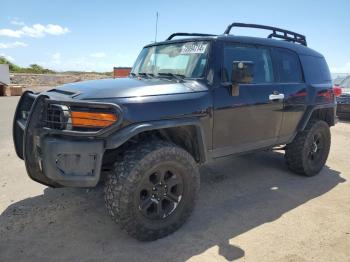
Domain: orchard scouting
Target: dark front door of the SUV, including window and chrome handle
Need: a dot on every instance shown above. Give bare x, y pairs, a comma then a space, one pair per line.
251, 117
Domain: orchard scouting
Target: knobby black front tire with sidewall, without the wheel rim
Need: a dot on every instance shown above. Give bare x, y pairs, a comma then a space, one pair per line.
121, 190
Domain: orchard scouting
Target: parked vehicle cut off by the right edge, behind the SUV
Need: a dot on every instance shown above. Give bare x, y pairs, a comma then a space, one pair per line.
343, 100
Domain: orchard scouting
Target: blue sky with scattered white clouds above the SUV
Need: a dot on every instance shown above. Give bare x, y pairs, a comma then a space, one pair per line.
98, 35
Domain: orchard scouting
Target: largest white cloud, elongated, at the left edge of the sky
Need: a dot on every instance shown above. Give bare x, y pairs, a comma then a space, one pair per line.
36, 30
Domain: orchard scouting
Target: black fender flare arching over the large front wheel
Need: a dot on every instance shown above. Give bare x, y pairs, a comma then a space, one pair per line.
123, 135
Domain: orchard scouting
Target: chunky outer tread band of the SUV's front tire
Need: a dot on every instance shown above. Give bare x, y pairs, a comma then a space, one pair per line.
122, 181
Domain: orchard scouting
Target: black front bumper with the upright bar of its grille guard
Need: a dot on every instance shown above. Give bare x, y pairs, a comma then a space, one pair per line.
53, 159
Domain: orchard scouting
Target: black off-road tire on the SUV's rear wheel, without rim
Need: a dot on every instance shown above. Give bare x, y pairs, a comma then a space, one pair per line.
297, 153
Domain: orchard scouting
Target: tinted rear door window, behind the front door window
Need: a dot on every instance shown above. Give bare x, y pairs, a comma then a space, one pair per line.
289, 67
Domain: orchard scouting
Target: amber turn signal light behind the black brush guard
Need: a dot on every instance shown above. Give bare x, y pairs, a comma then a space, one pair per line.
92, 119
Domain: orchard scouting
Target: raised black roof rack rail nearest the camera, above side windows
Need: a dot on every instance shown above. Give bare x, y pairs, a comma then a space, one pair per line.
276, 32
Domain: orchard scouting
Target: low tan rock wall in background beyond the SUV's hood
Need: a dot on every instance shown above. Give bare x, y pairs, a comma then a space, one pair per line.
37, 80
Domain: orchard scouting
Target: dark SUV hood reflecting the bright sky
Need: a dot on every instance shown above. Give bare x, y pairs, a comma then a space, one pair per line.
128, 87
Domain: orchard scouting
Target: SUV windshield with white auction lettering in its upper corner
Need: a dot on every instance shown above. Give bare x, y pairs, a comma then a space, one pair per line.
187, 60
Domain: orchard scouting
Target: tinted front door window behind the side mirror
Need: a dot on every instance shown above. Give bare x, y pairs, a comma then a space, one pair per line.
260, 57
